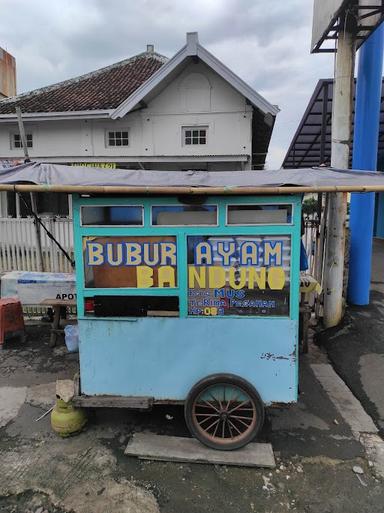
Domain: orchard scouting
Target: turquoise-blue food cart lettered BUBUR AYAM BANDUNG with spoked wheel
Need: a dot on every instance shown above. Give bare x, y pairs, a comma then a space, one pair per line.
190, 300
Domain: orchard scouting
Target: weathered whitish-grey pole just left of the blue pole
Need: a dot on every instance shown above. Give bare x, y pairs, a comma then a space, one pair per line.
341, 134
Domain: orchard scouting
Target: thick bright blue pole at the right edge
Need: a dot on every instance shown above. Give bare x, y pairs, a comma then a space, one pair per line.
365, 148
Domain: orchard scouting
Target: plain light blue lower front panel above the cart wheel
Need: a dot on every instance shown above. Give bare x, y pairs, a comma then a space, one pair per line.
164, 358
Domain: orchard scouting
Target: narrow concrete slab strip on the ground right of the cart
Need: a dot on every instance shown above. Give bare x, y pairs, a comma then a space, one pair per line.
345, 402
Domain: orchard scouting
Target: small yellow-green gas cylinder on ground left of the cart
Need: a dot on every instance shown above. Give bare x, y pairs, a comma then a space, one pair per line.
66, 420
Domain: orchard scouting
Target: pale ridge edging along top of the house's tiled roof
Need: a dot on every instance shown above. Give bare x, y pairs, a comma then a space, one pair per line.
79, 78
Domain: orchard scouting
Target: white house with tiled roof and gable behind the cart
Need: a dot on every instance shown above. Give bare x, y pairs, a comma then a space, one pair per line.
150, 112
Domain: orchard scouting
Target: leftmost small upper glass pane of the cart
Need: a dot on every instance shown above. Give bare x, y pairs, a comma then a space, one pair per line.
112, 215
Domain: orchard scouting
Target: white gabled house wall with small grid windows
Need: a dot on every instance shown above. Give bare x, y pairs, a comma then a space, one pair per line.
197, 97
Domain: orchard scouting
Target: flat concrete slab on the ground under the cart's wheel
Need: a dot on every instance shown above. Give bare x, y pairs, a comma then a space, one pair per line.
188, 450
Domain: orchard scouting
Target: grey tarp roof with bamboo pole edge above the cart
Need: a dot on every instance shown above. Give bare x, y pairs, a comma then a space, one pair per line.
45, 177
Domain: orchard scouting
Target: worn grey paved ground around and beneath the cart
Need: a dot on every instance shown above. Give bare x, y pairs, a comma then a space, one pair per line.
315, 448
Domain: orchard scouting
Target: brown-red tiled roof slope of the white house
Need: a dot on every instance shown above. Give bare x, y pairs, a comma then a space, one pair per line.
105, 88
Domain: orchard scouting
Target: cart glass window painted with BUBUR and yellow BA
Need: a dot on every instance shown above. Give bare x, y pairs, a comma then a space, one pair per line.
130, 261
